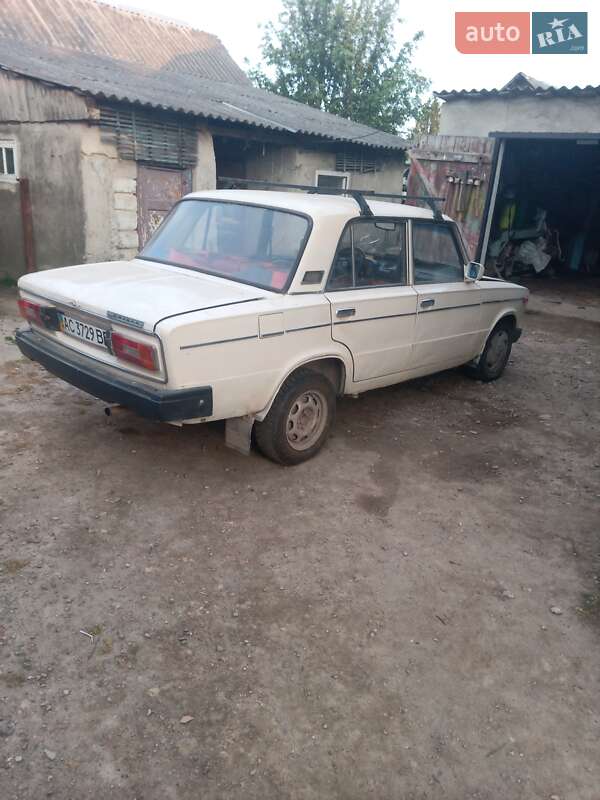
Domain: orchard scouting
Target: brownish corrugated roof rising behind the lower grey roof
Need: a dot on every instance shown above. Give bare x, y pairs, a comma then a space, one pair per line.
90, 27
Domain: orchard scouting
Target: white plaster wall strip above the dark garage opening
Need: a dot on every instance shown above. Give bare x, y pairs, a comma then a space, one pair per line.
479, 117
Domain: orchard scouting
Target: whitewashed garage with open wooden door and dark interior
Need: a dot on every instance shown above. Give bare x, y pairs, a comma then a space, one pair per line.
519, 165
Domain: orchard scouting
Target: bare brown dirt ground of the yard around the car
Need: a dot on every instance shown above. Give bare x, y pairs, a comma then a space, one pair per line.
375, 623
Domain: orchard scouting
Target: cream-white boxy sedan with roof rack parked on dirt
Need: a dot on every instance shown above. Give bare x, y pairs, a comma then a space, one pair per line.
262, 307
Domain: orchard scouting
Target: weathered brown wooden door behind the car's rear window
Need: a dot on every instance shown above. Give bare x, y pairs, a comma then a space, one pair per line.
158, 190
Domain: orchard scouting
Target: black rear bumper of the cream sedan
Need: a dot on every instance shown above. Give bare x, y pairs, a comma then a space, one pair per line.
151, 402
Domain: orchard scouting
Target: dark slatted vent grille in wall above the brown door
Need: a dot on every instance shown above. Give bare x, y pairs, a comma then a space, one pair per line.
155, 139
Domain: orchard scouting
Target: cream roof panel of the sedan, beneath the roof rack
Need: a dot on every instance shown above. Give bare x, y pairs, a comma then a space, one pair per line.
314, 205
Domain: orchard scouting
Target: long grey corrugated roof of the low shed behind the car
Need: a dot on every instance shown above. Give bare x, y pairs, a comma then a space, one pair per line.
110, 79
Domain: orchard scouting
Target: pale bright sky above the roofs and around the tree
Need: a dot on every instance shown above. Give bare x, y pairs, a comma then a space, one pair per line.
237, 24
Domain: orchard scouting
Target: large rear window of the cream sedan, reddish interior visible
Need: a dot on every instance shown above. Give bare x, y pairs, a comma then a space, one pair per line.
241, 242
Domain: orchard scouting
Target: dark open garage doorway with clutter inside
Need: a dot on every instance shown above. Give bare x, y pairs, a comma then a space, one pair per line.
546, 217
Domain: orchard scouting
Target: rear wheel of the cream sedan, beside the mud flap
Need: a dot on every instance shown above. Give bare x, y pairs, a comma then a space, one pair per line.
299, 420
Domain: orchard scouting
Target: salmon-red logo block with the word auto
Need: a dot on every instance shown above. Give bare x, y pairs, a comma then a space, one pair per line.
490, 32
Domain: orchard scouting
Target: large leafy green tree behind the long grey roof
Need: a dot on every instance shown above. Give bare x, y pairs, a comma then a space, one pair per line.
341, 56
